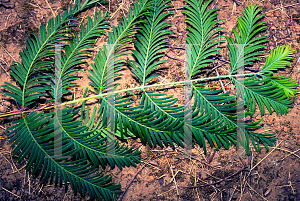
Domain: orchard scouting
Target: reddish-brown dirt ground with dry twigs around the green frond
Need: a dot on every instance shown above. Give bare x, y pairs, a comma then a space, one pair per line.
276, 175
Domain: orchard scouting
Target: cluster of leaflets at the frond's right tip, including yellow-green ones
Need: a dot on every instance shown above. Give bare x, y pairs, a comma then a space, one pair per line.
258, 89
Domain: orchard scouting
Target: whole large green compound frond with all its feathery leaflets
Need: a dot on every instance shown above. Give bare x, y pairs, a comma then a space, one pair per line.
70, 145
